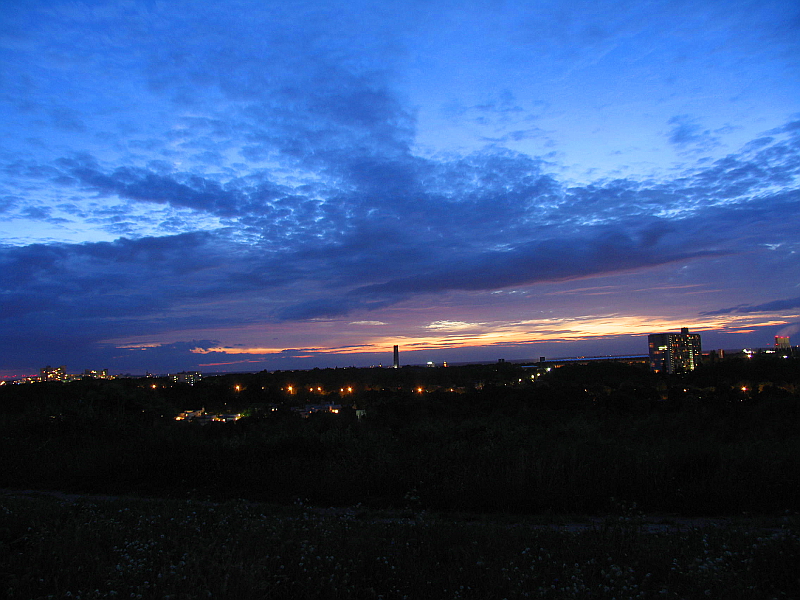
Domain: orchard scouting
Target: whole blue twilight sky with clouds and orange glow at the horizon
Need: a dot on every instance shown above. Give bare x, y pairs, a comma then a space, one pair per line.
238, 186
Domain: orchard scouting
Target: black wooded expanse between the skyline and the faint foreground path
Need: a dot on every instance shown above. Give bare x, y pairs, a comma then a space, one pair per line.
724, 439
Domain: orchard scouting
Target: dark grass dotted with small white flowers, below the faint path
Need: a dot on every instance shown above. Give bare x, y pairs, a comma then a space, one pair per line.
169, 549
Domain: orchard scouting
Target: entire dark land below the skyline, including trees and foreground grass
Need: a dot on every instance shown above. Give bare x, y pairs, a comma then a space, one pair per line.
384, 496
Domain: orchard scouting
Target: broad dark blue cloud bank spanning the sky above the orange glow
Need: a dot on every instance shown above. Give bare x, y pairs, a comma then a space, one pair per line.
389, 229
